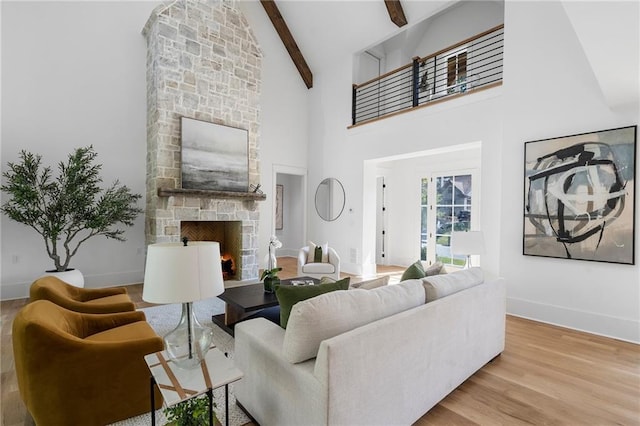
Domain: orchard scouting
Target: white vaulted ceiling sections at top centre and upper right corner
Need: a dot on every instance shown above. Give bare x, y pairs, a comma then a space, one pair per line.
324, 30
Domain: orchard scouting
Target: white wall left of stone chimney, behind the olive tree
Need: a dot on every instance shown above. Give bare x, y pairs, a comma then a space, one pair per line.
73, 74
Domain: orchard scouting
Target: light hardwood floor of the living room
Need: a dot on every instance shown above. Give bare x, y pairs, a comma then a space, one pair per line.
547, 375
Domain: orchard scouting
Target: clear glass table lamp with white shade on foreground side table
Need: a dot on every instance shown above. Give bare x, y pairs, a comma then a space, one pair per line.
183, 273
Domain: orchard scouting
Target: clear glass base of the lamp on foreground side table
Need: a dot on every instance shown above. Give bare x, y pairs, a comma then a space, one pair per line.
189, 342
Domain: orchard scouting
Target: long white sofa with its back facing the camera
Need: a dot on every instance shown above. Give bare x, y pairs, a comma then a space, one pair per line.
368, 371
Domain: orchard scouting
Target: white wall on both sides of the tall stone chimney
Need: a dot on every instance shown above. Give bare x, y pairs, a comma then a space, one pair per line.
73, 74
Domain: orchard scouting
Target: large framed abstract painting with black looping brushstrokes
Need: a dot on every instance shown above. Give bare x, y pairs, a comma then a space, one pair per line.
579, 196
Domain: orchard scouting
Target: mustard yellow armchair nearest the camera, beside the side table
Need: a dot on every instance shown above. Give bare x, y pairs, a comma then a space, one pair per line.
82, 369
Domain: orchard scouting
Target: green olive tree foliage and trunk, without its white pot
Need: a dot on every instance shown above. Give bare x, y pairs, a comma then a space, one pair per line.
69, 209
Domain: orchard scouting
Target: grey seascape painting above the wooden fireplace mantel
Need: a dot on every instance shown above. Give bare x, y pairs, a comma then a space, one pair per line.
214, 157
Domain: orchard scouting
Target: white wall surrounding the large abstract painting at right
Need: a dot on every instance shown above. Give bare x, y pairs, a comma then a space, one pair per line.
597, 297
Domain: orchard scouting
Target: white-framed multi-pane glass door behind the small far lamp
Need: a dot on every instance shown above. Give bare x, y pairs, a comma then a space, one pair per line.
446, 206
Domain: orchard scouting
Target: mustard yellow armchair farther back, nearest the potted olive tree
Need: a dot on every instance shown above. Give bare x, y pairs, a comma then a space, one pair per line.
90, 301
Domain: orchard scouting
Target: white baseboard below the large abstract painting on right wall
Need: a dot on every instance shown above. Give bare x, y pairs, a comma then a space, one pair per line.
624, 329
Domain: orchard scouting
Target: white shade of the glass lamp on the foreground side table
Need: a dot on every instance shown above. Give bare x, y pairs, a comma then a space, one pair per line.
175, 273
